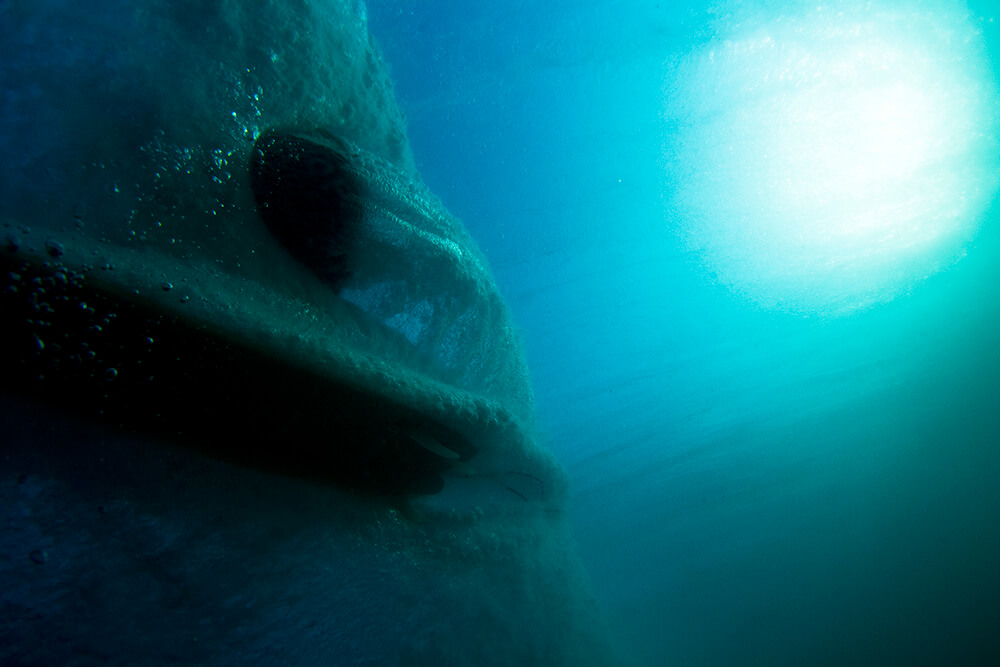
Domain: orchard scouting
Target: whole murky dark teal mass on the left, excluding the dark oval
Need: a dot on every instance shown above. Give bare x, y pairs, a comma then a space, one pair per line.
272, 466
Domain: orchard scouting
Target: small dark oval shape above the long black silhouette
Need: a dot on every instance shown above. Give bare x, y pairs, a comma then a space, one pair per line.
309, 198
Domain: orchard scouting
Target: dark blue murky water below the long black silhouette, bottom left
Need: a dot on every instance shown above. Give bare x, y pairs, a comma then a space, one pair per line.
119, 550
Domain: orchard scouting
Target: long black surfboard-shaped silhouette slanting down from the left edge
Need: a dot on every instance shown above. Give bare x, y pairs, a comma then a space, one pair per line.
70, 342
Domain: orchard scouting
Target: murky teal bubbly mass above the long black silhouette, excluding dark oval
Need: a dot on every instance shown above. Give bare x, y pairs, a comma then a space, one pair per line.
130, 133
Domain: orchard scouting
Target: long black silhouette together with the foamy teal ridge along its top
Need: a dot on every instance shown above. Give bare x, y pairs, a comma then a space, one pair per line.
205, 366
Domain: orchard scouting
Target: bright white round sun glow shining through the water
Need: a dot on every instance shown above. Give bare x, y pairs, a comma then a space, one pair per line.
827, 162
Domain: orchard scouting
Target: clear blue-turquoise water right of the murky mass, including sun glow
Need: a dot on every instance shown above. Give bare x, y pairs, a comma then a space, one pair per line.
751, 248
